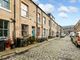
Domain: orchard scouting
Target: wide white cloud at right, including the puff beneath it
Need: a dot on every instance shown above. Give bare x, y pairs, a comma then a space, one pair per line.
65, 10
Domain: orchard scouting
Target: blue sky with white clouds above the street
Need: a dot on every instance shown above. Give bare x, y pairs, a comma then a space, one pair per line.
66, 12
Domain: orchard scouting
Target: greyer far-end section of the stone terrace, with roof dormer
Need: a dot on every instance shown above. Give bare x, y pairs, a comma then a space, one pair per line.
54, 28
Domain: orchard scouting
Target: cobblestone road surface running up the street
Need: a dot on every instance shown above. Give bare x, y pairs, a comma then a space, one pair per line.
59, 49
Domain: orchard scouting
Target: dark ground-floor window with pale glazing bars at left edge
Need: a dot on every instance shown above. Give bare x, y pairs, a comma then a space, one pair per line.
4, 28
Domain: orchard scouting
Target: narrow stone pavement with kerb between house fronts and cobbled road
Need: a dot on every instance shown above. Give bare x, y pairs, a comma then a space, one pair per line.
11, 52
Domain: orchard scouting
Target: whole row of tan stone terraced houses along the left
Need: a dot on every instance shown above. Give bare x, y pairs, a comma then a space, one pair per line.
19, 18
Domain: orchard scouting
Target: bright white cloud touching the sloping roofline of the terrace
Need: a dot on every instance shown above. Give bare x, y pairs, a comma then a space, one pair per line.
48, 8
